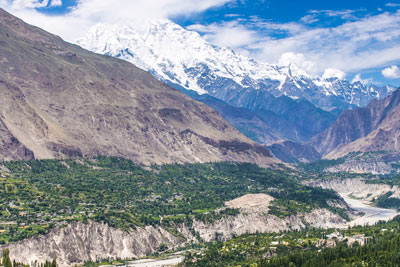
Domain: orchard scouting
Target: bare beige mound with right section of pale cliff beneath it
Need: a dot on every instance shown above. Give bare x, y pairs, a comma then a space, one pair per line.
254, 218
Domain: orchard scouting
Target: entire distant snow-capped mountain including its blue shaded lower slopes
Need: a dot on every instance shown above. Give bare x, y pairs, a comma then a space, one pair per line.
281, 102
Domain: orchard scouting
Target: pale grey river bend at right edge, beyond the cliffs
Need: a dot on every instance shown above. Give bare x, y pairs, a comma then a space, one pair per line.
371, 214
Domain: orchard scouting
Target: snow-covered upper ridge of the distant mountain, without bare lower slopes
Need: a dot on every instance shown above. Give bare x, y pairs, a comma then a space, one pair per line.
183, 58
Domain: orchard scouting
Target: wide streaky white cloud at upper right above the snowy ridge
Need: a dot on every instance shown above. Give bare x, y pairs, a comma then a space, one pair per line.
356, 44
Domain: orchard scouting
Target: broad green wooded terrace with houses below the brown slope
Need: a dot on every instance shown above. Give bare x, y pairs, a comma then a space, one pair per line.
38, 195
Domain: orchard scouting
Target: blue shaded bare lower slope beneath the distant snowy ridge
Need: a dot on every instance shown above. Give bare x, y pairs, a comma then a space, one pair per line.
271, 118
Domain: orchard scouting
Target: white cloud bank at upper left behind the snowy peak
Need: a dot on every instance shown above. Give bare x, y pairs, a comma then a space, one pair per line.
90, 12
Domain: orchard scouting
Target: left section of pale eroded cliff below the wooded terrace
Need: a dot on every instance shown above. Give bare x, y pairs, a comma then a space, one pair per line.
80, 242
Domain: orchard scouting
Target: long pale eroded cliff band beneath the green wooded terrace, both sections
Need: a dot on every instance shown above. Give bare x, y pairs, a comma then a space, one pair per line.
80, 242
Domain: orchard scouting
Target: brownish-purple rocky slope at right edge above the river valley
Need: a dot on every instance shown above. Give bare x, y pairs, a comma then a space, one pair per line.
372, 128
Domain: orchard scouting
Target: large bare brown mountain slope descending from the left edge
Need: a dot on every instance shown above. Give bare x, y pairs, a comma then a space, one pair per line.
59, 100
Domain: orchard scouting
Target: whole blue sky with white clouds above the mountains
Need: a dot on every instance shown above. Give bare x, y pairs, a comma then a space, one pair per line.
358, 40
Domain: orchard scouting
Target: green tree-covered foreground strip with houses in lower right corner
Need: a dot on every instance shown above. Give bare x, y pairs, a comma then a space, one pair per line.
305, 248
